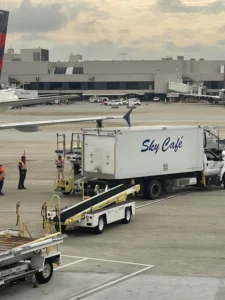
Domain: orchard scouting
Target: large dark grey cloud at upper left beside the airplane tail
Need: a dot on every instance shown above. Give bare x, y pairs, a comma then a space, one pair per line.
37, 18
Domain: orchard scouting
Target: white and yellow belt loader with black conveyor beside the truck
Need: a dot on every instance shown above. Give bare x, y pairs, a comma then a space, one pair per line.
97, 211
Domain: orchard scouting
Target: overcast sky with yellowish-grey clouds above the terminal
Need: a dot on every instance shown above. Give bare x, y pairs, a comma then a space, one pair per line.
102, 29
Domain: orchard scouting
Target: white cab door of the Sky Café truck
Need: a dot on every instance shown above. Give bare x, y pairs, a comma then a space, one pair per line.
212, 164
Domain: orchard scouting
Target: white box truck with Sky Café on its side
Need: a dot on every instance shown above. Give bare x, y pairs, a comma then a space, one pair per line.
157, 157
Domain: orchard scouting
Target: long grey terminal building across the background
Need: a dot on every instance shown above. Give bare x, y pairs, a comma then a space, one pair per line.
144, 79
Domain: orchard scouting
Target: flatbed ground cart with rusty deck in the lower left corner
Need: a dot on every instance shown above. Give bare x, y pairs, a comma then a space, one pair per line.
27, 257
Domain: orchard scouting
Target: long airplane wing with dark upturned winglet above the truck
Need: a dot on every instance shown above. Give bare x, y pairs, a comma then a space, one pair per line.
34, 126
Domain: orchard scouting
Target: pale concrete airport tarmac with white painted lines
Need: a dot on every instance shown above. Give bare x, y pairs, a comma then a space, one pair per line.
172, 249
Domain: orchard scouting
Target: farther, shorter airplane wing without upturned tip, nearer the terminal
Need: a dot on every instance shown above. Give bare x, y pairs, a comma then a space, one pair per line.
40, 100
